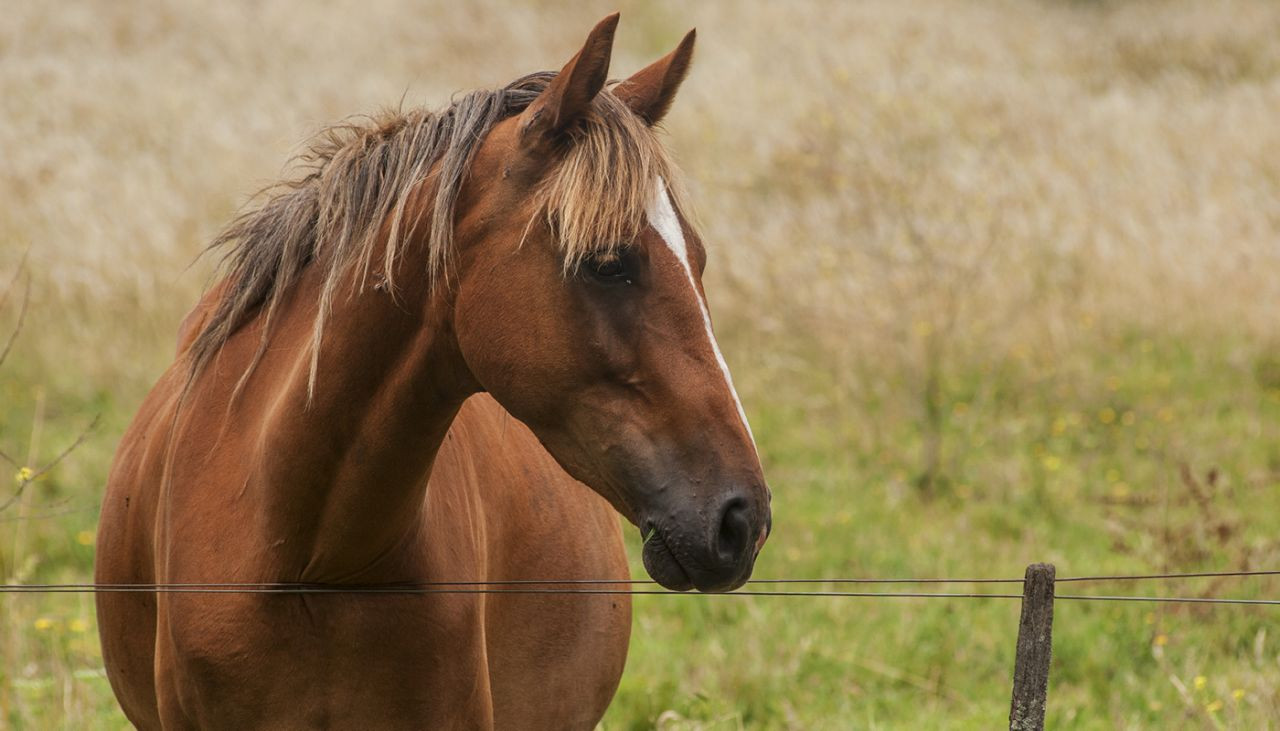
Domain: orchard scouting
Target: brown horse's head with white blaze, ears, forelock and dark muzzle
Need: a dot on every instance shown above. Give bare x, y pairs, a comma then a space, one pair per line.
579, 307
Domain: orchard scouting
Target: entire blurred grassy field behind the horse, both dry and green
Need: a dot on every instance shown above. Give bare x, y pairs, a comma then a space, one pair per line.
999, 281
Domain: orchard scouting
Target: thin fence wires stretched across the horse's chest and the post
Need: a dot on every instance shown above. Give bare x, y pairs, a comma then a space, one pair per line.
646, 588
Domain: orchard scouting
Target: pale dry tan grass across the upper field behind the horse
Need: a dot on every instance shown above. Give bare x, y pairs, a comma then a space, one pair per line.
1003, 171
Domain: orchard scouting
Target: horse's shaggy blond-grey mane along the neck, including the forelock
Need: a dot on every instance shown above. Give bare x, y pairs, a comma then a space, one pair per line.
355, 177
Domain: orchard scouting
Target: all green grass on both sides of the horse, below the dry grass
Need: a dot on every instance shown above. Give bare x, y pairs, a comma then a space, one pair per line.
1098, 460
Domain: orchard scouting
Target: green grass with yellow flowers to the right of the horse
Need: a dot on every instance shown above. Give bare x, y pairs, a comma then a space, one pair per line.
1081, 470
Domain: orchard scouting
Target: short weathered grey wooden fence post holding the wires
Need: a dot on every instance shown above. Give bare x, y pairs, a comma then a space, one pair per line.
1035, 650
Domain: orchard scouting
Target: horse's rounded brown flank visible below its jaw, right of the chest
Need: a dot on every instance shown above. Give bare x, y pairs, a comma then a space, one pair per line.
555, 660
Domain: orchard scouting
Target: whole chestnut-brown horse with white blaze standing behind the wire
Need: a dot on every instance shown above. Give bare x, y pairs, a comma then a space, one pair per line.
435, 351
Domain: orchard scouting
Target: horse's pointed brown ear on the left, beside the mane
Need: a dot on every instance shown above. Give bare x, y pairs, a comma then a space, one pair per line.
569, 97
